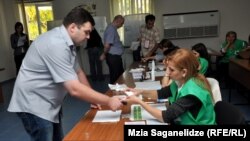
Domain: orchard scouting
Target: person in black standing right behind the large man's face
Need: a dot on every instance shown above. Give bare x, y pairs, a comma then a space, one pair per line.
95, 49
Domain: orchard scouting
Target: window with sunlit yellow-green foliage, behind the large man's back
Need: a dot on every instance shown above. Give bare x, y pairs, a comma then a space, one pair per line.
36, 17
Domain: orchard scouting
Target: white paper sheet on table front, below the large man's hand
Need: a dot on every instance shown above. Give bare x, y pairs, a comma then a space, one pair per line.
107, 116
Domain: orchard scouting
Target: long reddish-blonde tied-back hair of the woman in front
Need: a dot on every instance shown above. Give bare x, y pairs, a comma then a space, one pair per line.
185, 59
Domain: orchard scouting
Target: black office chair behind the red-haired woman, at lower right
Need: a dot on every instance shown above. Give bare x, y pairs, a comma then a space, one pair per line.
228, 114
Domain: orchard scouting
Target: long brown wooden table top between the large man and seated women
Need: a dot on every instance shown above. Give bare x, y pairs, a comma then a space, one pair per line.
85, 129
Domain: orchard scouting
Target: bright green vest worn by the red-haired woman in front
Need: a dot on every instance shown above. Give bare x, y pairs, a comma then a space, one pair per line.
206, 115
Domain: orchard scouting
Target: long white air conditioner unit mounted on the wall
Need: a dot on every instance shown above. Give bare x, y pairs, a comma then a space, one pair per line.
191, 25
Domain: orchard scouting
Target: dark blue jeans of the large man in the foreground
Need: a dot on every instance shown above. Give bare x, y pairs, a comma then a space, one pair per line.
40, 129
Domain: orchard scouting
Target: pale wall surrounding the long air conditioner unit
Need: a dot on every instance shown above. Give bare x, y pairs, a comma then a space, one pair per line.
234, 15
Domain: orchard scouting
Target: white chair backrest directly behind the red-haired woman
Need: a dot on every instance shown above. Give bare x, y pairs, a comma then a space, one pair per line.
215, 89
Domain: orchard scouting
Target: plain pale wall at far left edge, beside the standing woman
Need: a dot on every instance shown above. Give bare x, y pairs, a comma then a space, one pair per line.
8, 17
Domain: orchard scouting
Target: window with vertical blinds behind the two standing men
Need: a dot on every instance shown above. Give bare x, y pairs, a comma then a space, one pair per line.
127, 7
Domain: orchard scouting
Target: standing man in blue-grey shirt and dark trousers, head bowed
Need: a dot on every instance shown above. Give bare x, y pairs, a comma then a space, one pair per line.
113, 49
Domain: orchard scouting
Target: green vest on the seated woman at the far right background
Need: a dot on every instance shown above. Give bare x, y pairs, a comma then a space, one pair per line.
232, 52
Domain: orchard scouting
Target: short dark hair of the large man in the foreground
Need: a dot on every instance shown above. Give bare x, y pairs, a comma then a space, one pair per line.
78, 15
